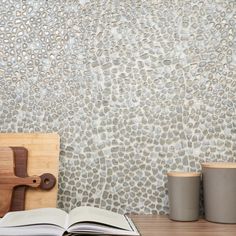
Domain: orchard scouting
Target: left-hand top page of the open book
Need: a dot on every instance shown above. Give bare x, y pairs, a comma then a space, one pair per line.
36, 216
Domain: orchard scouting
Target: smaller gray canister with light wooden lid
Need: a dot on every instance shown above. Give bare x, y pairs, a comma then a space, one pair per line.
183, 192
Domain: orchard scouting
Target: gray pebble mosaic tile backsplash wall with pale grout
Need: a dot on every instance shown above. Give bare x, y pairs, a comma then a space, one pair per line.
134, 88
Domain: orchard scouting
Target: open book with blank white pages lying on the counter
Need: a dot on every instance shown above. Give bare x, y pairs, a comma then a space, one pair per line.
55, 222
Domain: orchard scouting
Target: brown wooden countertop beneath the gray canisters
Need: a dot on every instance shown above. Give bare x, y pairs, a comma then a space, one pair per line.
155, 225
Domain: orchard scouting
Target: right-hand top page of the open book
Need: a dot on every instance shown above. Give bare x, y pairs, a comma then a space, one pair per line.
96, 215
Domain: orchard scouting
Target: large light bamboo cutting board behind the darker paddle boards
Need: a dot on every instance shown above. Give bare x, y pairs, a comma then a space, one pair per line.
43, 157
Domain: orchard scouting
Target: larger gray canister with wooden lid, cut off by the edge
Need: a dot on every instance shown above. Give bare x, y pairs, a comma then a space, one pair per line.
219, 189
